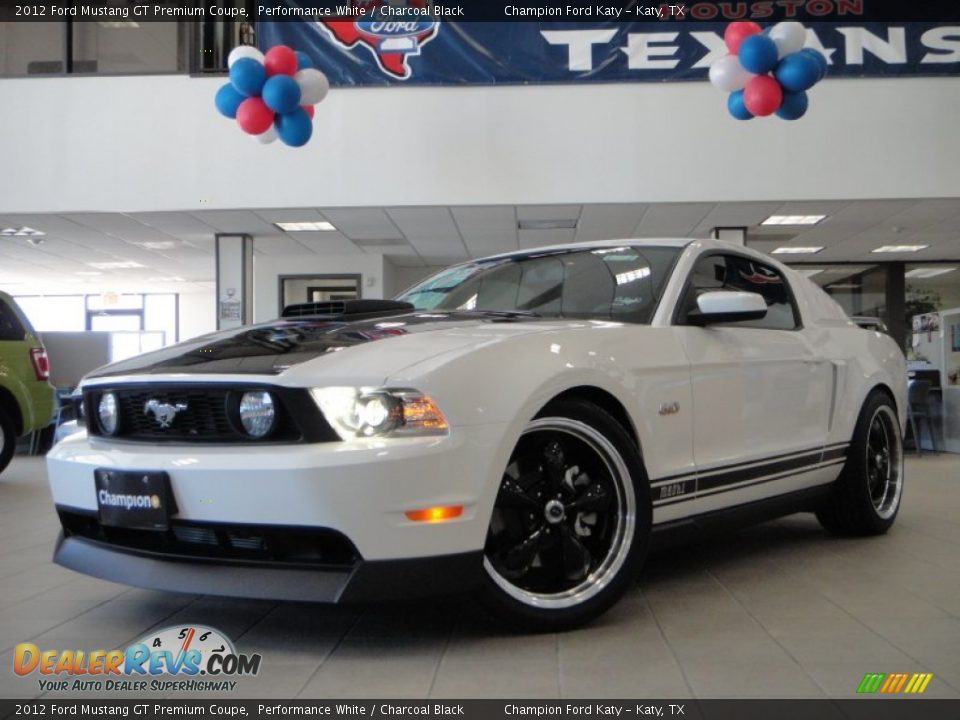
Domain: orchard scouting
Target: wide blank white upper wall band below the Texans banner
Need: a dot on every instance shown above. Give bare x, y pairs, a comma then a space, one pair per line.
128, 144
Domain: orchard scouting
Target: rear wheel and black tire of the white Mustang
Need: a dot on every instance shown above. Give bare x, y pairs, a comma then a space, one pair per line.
866, 497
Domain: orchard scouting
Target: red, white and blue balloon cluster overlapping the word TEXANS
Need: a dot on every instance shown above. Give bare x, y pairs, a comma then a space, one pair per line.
768, 71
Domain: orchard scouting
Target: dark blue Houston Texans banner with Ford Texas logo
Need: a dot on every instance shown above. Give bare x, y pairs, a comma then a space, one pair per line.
425, 52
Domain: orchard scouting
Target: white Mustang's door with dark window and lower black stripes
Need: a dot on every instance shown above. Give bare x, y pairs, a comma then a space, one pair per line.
761, 394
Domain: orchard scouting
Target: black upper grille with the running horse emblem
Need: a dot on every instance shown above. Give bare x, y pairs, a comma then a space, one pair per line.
206, 413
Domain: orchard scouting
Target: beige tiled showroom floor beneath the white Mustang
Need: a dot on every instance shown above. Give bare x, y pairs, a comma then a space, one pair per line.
776, 610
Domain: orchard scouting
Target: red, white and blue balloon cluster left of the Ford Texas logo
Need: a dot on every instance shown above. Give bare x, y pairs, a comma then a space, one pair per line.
272, 95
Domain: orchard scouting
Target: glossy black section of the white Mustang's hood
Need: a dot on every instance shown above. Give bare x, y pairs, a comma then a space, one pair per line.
271, 348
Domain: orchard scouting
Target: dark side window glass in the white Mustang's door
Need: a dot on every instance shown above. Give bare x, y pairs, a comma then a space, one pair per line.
734, 272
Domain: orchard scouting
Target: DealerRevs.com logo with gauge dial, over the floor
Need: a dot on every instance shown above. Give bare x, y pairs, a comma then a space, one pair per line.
183, 658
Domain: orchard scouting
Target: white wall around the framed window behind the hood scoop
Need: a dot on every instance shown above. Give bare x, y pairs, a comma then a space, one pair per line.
268, 269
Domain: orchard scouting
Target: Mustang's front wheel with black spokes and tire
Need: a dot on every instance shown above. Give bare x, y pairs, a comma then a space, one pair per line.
571, 523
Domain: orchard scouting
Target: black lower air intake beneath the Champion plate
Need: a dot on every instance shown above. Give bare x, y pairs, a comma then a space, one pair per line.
215, 541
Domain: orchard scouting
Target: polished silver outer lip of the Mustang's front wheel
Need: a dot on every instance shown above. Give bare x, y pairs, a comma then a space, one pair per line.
624, 532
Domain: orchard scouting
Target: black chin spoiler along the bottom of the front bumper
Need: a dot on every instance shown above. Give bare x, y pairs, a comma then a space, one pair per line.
366, 581
